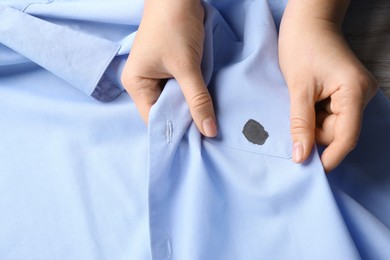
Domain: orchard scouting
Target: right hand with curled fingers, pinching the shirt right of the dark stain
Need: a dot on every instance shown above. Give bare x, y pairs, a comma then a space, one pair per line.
329, 87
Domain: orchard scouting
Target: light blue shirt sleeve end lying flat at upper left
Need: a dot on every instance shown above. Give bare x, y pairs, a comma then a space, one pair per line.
76, 57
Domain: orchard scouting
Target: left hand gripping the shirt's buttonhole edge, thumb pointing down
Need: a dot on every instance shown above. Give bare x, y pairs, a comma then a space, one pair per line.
169, 44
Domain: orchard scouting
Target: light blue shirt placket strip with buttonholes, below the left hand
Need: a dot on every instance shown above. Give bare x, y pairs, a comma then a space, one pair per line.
168, 121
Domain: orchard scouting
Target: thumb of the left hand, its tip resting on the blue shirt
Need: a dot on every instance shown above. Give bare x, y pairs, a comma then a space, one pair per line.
199, 100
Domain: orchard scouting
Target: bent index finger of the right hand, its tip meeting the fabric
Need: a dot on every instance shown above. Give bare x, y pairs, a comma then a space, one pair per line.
346, 133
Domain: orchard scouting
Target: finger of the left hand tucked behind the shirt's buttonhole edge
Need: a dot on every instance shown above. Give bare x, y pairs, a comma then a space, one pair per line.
144, 93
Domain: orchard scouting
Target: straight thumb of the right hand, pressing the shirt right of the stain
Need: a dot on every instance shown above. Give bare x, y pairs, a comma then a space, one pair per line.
302, 124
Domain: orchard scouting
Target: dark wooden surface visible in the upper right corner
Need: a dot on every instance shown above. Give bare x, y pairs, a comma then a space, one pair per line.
367, 30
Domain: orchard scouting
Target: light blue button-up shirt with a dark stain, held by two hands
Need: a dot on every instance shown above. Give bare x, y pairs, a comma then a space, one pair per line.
84, 179
